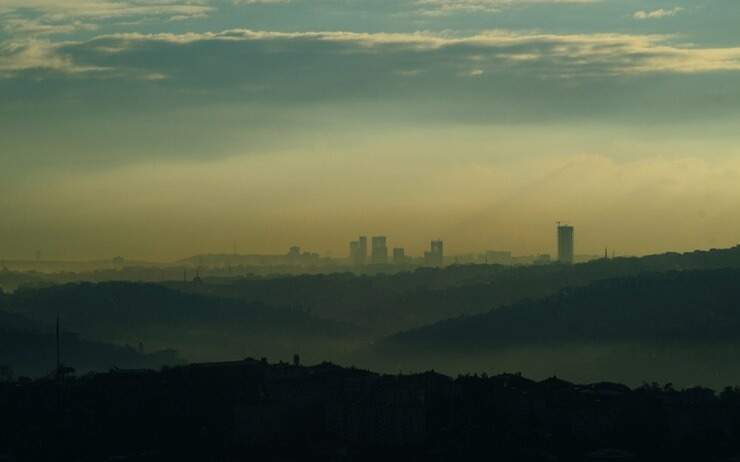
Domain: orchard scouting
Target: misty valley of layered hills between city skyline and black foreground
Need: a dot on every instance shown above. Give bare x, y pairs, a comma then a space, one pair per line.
664, 318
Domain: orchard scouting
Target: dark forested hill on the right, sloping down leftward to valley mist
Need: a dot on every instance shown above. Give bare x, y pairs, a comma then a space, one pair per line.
673, 307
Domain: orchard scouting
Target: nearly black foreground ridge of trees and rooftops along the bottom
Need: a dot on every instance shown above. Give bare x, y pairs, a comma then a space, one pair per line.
250, 410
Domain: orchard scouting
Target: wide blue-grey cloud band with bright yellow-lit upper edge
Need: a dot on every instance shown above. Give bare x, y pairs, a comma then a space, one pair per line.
496, 75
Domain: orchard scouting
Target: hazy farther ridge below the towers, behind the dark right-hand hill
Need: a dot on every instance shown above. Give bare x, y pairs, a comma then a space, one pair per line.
388, 303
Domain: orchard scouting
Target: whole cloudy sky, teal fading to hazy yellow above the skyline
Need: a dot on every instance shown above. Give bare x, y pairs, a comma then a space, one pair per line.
162, 129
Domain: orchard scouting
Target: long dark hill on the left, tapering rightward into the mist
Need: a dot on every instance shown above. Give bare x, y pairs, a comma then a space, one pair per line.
200, 327
